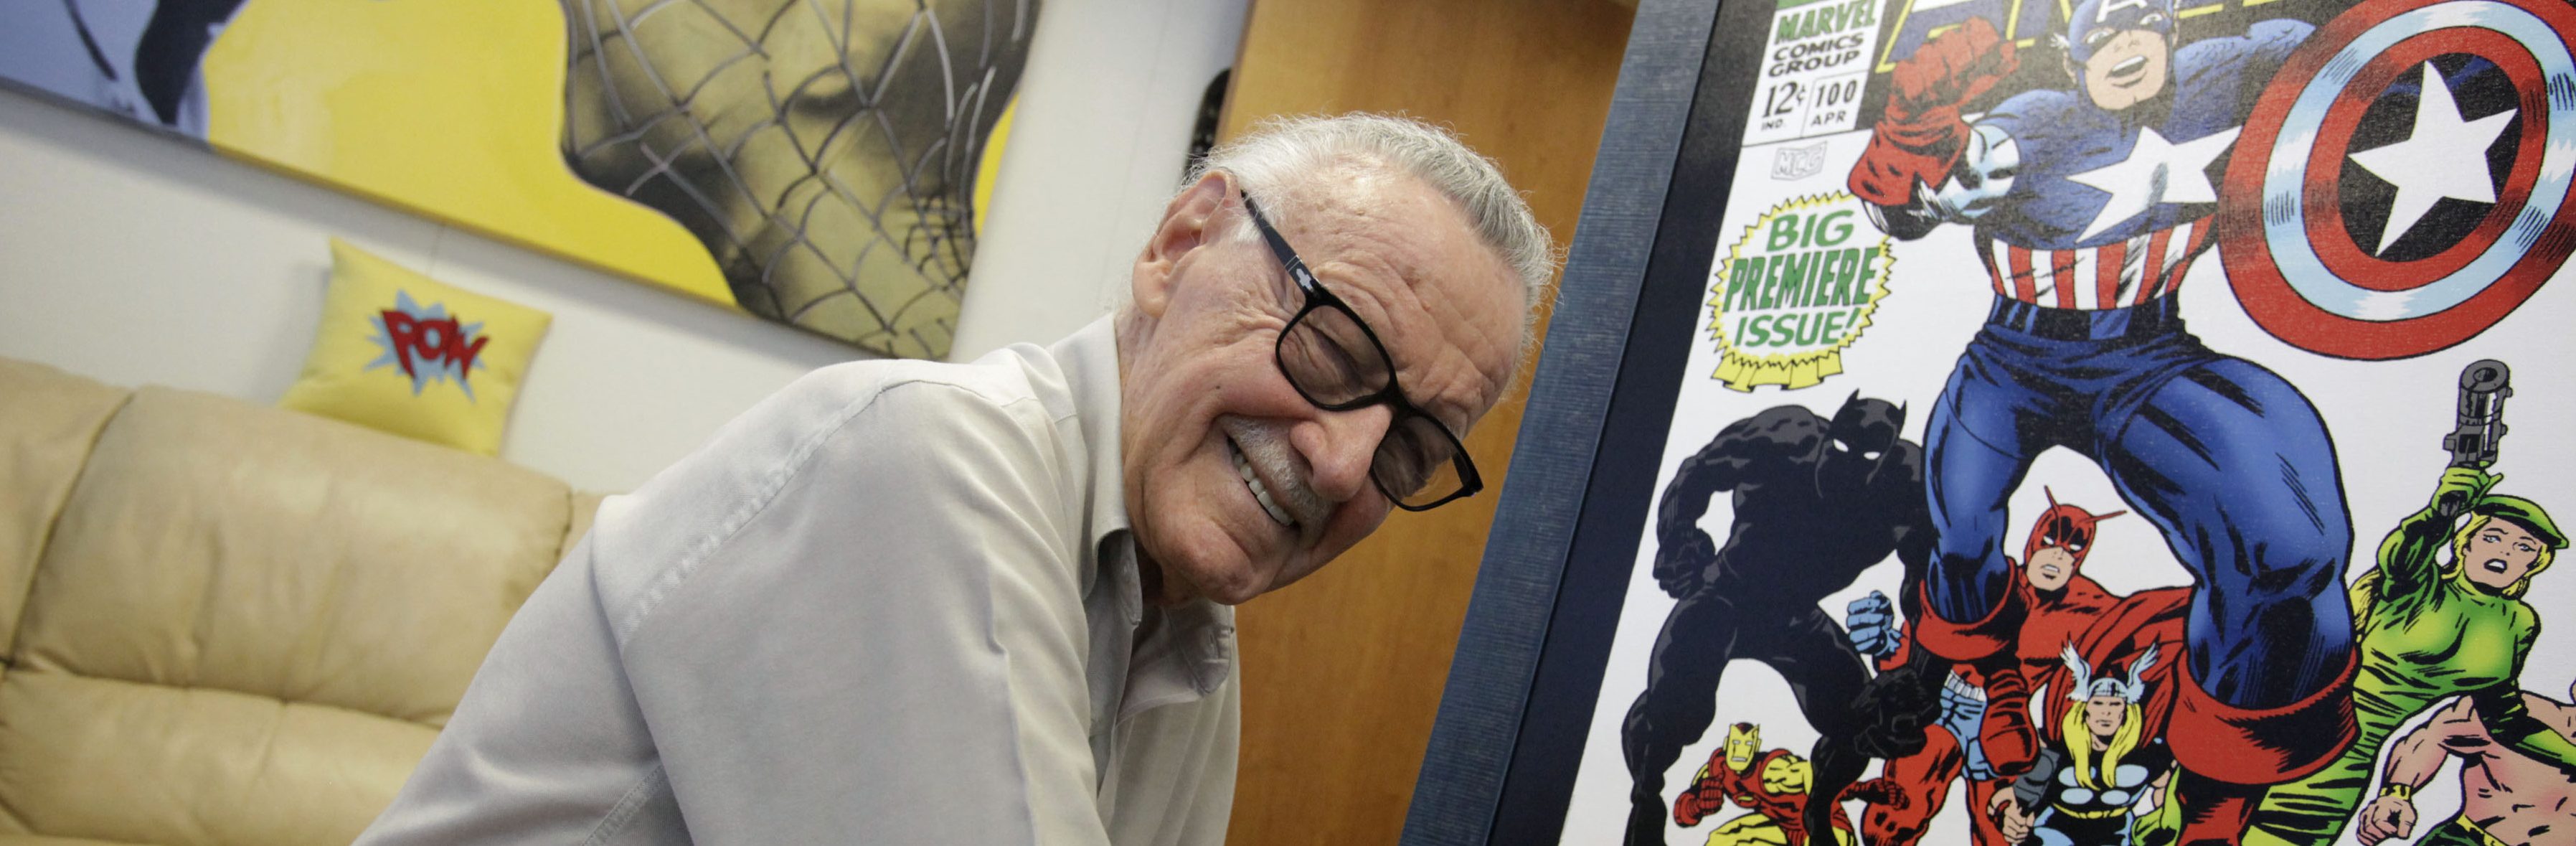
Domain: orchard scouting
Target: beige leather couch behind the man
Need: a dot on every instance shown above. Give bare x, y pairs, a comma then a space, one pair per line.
238, 625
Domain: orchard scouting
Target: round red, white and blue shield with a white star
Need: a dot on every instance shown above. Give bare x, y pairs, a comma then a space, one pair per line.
2407, 177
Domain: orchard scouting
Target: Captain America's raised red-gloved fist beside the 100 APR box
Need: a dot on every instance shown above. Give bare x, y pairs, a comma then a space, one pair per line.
1920, 133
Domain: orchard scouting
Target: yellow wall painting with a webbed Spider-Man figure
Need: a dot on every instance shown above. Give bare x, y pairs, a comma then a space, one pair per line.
818, 164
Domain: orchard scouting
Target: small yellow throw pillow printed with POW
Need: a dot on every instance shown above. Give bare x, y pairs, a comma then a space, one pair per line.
416, 357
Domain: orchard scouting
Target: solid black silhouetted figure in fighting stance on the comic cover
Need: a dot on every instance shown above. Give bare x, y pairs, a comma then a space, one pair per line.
1815, 504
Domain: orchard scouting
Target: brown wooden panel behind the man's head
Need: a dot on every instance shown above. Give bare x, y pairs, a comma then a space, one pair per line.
1343, 672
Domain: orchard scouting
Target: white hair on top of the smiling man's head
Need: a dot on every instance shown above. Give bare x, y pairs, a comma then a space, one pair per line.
1282, 159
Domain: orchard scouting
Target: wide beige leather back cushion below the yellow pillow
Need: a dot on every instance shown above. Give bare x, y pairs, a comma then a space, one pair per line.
269, 553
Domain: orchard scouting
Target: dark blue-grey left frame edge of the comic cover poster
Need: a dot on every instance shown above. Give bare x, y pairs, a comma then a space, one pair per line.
1539, 628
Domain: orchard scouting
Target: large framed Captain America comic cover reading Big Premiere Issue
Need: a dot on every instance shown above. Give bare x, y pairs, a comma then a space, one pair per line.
2047, 422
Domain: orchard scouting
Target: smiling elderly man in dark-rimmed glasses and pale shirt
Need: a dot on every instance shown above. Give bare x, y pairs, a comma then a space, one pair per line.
988, 602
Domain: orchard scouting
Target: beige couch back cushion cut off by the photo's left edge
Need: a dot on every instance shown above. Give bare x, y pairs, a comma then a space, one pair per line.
45, 435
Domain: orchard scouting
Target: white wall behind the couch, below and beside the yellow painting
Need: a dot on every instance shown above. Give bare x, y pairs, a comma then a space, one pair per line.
138, 259
